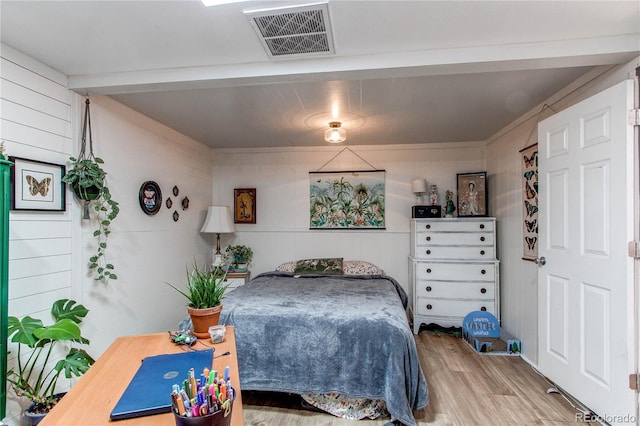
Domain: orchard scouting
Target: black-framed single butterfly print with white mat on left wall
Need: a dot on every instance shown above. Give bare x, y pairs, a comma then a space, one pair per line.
37, 185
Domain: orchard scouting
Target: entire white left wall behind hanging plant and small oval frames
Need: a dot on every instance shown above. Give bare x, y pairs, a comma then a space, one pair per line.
41, 120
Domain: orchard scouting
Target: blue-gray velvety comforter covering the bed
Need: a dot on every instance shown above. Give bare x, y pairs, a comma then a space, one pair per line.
321, 334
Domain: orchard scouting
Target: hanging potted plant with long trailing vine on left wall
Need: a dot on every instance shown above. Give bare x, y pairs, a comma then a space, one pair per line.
88, 182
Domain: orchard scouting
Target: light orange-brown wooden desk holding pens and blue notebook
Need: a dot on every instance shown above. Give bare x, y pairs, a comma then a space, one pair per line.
91, 399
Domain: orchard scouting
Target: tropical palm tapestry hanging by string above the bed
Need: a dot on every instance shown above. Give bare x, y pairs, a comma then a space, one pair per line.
347, 200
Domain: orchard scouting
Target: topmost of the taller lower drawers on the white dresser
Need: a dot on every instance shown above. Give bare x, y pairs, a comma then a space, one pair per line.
477, 271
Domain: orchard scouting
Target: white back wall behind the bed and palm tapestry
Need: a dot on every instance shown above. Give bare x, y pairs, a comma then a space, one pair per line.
281, 178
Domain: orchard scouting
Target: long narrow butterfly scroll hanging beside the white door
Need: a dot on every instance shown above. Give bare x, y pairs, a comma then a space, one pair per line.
530, 202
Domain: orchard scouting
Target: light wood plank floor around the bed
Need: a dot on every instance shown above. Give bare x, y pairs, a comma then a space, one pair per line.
464, 388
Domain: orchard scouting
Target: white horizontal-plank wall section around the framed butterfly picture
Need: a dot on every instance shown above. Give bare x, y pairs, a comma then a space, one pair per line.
36, 124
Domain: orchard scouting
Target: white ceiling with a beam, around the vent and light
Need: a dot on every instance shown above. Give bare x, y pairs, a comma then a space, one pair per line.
403, 71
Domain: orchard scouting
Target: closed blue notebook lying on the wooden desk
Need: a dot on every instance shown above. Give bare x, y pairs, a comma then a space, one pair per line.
149, 392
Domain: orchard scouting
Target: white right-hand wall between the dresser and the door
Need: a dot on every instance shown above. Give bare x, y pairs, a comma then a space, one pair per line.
519, 278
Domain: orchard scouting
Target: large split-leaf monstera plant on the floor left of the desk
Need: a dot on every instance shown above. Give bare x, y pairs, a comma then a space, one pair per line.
33, 376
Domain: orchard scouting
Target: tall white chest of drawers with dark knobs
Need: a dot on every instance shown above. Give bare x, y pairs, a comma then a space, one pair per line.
453, 269
